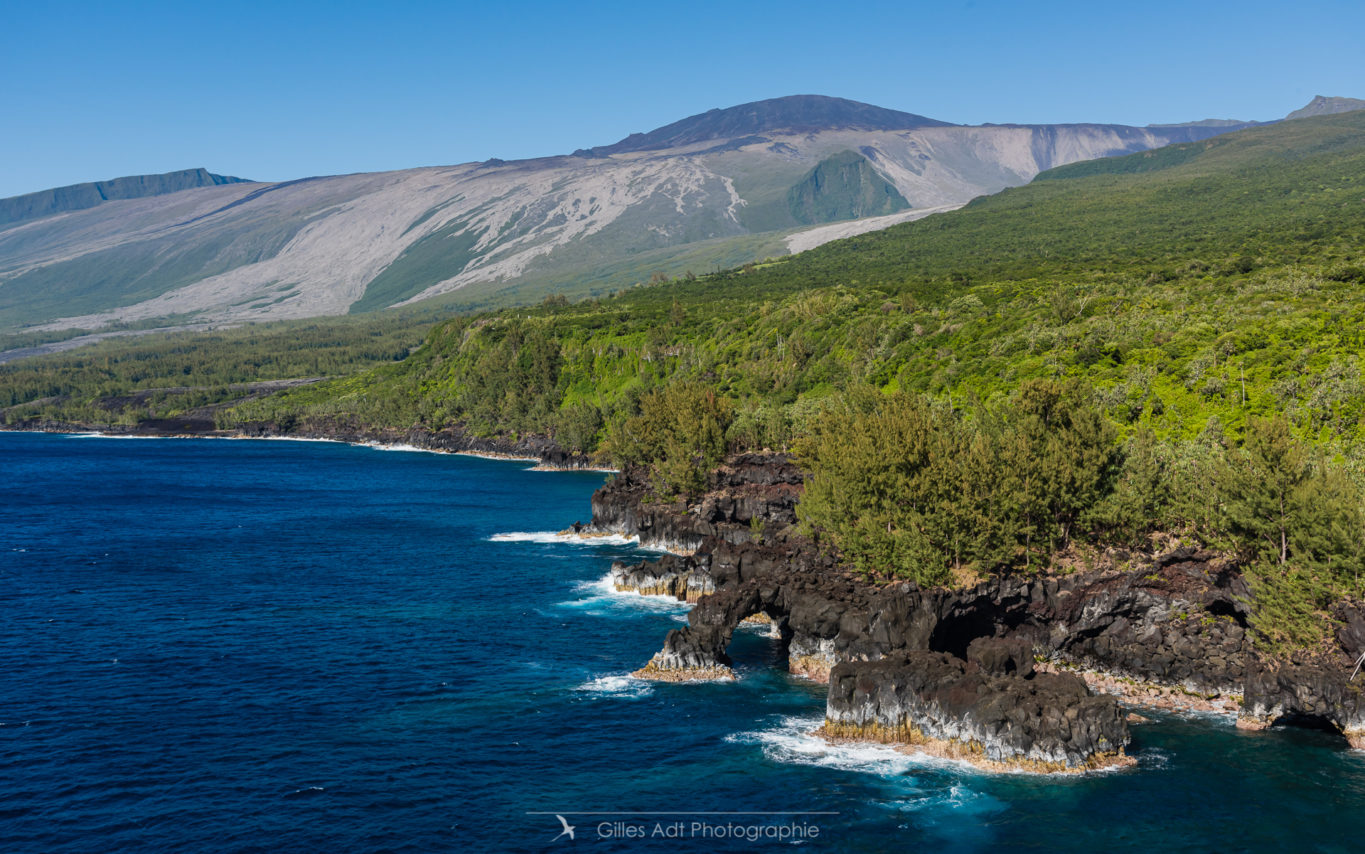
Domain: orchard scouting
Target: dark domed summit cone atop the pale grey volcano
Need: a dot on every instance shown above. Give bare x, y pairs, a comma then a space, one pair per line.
791, 114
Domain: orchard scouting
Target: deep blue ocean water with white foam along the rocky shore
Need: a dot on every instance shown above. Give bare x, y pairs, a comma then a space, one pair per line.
212, 646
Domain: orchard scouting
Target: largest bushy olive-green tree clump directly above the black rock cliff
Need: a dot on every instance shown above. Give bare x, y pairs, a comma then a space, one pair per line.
910, 489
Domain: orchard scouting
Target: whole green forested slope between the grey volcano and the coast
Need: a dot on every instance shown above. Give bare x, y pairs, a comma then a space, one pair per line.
1160, 344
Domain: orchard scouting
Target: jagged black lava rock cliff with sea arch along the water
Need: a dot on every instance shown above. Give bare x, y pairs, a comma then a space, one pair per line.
1168, 631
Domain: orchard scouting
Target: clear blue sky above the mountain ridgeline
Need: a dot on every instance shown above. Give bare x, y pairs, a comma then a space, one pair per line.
282, 91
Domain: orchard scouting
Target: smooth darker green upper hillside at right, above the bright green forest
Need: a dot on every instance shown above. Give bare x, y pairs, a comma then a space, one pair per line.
1281, 193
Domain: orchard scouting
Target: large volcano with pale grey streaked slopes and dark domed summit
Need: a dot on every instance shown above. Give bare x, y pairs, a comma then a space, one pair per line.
716, 190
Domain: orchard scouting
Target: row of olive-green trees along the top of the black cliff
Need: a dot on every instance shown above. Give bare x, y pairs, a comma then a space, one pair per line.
907, 488
